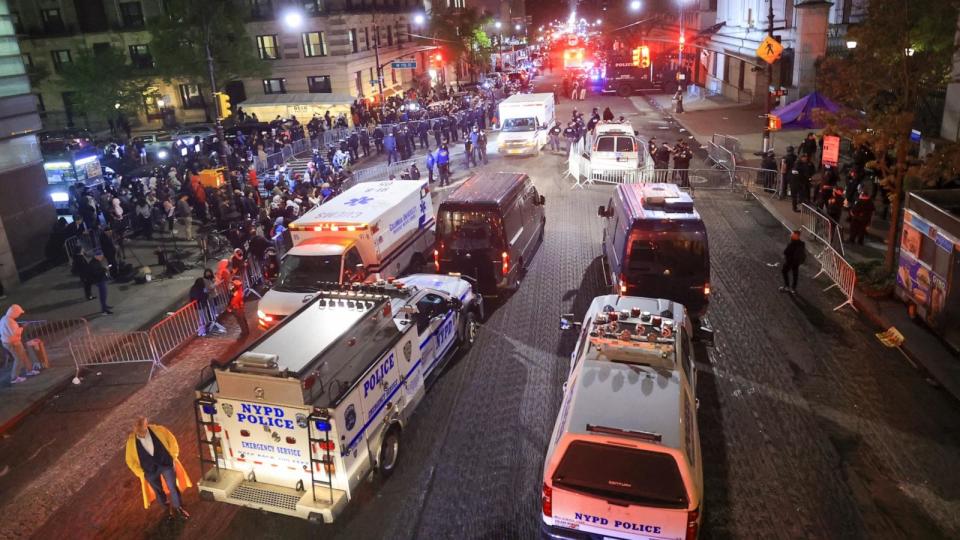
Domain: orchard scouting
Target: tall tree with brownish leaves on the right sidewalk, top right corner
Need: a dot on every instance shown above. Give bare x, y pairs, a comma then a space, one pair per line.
904, 52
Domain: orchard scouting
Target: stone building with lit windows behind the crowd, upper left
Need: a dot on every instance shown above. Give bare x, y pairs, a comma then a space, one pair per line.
334, 50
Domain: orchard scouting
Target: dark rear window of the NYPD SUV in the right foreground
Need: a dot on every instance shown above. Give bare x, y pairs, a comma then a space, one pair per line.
617, 473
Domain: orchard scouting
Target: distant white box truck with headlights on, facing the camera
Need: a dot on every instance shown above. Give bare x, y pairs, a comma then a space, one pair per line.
525, 120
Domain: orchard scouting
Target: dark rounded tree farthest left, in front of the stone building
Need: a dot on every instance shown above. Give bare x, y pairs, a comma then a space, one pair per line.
103, 83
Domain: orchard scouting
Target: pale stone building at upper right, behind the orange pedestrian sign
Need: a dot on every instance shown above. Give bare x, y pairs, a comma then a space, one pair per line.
808, 29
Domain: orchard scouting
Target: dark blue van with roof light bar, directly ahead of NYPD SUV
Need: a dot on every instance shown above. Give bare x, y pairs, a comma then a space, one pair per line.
655, 244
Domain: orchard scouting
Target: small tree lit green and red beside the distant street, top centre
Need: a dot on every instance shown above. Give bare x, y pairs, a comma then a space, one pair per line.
460, 32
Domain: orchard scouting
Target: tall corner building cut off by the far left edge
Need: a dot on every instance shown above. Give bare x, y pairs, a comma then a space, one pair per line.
26, 212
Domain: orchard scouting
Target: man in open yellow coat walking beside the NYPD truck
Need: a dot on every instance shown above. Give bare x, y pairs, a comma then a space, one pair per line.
152, 456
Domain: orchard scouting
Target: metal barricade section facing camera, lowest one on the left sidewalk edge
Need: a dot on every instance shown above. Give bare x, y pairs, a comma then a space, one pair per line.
114, 348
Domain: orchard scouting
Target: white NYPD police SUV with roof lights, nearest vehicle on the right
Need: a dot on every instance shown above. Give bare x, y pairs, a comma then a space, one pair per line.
624, 457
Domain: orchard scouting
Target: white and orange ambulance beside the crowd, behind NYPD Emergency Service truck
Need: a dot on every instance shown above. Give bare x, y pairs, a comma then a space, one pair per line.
374, 230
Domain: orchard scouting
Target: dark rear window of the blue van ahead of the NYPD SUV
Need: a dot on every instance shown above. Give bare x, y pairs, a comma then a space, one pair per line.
676, 254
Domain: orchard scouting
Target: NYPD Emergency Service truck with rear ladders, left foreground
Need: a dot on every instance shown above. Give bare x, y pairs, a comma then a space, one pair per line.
295, 422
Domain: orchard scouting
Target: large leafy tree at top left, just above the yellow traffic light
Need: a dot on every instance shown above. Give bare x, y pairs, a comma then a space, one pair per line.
188, 29
